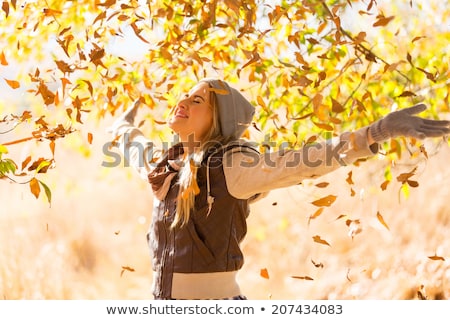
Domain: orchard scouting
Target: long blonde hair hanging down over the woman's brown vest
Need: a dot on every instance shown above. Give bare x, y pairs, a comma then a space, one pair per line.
188, 188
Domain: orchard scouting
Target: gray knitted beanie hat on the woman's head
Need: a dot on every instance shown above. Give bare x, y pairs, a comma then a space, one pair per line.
235, 112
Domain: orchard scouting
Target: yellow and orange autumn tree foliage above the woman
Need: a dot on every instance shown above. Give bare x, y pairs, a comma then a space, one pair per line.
309, 69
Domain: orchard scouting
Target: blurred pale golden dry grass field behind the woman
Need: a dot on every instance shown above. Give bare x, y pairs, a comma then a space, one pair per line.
90, 243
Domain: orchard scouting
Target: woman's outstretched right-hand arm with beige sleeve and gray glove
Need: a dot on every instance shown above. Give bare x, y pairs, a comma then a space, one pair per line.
248, 173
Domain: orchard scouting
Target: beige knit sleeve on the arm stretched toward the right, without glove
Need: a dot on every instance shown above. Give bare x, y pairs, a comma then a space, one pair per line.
249, 173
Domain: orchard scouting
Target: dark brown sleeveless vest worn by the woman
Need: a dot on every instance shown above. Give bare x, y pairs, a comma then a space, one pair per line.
208, 242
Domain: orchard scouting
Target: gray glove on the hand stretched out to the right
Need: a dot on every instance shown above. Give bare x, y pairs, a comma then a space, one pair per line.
403, 123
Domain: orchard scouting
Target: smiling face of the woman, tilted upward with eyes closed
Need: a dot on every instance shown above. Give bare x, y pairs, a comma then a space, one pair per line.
193, 114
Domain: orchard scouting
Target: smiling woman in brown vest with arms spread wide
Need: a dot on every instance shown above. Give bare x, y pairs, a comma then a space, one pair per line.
203, 185
